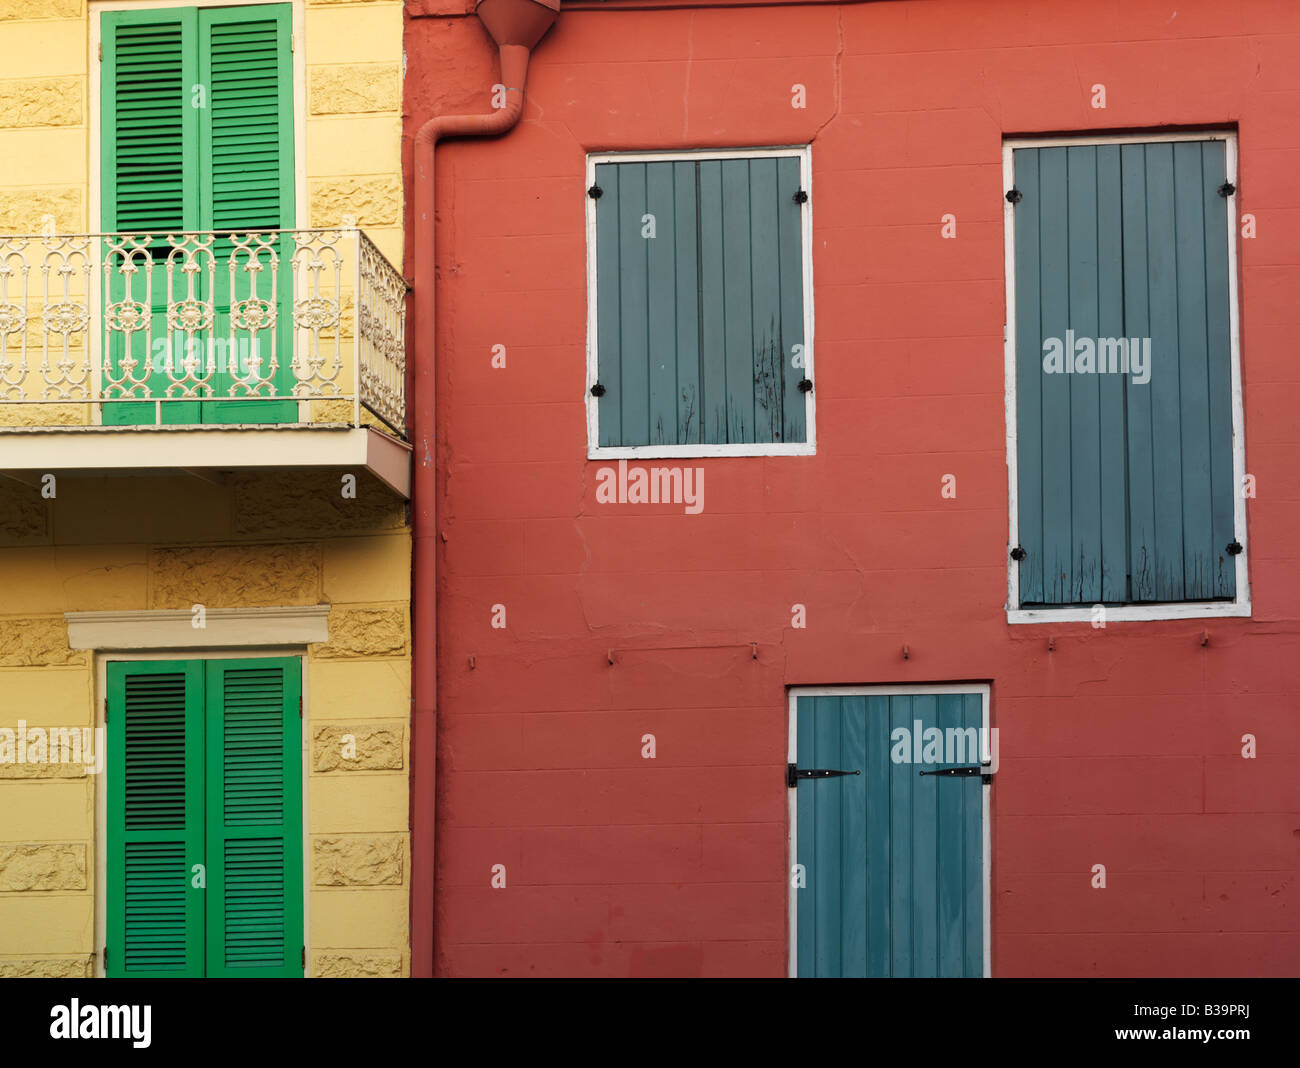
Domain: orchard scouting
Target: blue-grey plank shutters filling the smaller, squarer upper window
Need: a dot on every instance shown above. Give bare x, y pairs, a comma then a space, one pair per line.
696, 327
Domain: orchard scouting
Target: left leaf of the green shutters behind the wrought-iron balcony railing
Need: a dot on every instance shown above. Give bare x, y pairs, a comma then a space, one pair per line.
150, 172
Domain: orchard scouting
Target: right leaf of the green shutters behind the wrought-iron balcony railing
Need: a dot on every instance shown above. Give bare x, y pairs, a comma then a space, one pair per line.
246, 138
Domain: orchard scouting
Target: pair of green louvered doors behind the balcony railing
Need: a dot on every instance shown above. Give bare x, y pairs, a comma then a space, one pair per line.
198, 123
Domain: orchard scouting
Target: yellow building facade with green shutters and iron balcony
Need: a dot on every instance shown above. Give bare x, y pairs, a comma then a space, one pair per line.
205, 542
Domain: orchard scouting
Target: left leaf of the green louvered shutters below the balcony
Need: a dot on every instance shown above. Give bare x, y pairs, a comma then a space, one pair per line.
155, 819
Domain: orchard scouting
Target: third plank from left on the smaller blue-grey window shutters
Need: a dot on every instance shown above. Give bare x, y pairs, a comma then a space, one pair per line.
662, 305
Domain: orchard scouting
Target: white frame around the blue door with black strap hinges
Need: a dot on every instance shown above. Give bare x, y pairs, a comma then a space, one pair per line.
903, 689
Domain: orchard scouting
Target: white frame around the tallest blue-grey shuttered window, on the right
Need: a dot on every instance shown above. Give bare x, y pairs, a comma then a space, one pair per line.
1241, 606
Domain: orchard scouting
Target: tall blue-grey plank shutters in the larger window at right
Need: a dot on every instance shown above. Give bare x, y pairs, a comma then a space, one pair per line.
1125, 489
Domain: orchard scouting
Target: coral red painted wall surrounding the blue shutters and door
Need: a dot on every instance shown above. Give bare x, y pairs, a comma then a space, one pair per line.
1123, 748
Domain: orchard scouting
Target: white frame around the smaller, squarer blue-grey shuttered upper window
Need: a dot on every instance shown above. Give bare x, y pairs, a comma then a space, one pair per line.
595, 451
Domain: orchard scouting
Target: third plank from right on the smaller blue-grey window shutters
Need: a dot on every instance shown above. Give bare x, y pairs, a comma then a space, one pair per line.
739, 302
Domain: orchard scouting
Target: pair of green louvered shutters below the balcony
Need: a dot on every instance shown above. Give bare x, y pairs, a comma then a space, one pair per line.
205, 819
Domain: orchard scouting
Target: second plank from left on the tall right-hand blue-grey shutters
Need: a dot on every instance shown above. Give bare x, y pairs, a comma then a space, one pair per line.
1055, 310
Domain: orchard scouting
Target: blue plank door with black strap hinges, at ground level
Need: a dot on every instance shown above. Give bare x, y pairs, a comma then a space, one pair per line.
892, 861
